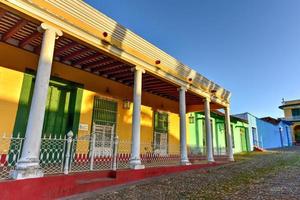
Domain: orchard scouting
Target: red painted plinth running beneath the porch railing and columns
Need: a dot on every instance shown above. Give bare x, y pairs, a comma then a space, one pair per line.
51, 187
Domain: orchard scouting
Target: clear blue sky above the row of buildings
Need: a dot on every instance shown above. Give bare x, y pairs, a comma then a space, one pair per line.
250, 47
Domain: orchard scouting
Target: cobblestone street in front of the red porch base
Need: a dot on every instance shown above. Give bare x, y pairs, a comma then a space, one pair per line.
269, 175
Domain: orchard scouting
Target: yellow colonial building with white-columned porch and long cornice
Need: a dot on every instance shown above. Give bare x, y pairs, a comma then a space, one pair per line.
79, 92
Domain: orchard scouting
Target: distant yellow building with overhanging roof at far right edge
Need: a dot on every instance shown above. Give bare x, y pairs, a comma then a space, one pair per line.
291, 111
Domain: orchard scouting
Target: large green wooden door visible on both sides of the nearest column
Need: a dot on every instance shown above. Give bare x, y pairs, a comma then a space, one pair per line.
61, 115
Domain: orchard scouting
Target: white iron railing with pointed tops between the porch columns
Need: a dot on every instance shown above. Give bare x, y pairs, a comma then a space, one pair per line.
78, 154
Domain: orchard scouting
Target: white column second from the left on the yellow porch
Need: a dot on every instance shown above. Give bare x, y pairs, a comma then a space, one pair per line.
135, 160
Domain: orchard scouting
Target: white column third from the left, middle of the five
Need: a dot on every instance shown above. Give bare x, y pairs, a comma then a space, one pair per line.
182, 115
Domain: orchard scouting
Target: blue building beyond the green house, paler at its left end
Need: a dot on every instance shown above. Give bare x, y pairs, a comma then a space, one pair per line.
267, 132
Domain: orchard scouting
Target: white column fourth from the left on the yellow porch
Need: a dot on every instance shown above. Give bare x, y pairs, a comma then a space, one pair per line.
209, 142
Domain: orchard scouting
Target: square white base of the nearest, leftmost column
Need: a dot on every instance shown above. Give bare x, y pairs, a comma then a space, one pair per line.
26, 169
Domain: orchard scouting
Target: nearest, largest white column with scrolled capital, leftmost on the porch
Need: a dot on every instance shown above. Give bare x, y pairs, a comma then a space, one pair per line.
28, 165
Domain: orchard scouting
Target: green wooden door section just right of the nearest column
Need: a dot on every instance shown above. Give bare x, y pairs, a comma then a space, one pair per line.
57, 122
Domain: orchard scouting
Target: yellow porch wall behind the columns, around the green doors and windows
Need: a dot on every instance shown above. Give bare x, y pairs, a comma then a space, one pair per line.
11, 76
